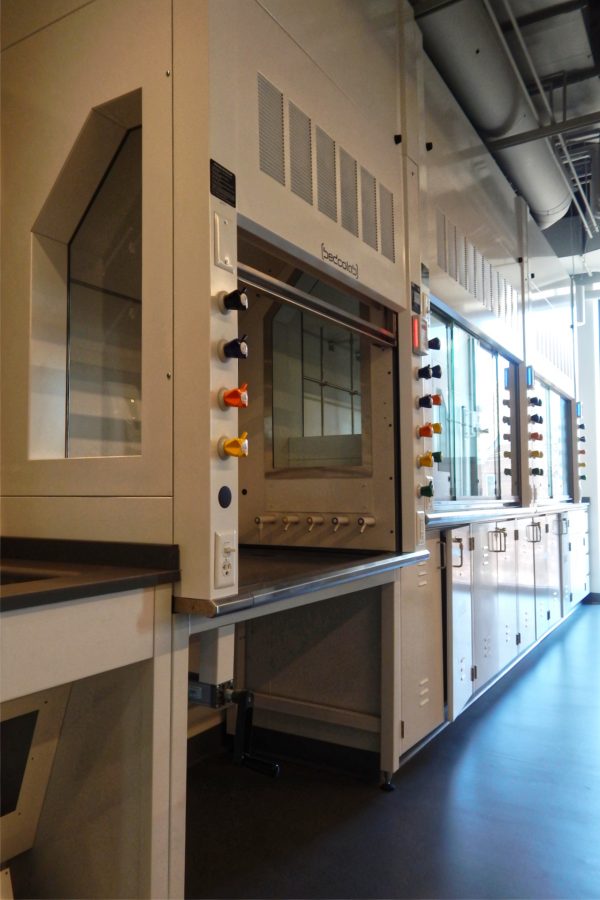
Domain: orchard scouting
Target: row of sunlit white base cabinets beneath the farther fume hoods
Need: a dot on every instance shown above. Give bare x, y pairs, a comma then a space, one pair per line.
508, 584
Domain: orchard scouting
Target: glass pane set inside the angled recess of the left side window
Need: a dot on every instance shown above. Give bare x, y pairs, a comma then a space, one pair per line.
105, 314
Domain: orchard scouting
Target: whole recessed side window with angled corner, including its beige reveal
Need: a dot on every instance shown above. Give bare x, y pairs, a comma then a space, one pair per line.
86, 338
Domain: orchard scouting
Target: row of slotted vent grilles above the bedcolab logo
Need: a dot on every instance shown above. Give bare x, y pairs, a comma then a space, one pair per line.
286, 144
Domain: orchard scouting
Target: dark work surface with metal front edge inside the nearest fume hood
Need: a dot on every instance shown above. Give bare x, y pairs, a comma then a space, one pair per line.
271, 574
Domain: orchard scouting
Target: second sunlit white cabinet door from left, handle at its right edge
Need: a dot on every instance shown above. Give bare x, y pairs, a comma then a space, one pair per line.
486, 658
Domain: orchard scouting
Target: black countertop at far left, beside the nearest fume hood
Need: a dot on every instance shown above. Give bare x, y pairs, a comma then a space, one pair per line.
36, 572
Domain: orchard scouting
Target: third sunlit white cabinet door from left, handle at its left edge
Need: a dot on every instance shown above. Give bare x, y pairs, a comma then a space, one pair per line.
505, 548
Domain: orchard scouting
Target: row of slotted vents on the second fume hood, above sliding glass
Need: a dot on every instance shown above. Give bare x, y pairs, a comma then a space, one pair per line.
466, 265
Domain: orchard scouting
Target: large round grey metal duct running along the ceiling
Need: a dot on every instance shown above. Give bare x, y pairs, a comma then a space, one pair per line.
463, 43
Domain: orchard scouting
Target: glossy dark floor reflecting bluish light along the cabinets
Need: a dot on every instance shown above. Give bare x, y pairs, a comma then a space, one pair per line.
504, 803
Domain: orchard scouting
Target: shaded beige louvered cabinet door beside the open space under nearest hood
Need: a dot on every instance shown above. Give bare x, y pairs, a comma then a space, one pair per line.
422, 649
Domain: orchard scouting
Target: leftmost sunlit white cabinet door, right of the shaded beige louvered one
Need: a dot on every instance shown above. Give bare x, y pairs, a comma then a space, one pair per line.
460, 631
